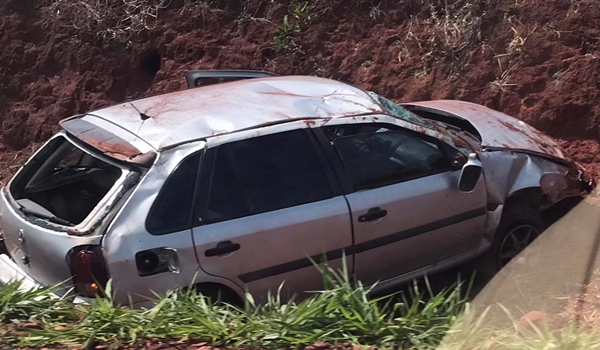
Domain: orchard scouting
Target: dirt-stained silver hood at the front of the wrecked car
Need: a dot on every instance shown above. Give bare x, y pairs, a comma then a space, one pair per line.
497, 130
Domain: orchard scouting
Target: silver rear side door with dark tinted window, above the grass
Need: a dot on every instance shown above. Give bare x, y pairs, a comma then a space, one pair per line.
267, 207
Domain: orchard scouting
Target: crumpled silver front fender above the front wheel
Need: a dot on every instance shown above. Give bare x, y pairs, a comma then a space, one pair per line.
508, 172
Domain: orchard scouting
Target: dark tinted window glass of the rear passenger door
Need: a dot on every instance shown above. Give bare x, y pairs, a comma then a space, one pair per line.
261, 174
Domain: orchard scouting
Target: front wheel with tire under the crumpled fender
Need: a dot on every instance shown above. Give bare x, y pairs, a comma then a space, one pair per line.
519, 226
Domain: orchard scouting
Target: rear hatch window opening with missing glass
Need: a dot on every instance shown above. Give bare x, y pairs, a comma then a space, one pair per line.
63, 183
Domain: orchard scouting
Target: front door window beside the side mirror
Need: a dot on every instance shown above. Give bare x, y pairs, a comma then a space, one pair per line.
375, 156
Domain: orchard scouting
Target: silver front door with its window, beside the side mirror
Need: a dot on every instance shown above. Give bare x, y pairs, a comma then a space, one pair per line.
407, 211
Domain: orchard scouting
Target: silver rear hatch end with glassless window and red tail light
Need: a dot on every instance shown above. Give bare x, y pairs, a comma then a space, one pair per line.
67, 189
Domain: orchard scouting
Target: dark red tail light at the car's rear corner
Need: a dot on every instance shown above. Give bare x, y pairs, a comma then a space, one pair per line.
88, 270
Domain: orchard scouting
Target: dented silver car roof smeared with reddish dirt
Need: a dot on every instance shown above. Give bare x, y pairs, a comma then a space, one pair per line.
179, 117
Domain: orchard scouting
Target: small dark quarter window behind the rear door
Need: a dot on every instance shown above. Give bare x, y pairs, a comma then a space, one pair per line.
172, 209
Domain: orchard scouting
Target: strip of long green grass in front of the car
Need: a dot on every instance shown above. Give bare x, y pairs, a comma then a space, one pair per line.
341, 313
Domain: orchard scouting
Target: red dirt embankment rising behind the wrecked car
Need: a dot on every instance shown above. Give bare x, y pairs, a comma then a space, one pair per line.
536, 60
